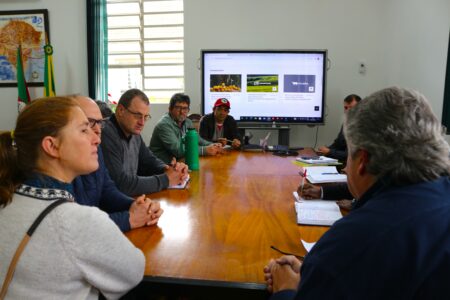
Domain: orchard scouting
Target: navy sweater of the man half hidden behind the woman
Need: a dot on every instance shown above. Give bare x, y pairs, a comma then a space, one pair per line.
97, 189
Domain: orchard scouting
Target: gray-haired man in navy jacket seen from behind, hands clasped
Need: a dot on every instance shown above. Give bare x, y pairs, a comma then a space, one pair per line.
395, 243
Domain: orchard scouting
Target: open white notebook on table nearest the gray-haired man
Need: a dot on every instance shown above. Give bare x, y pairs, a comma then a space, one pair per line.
316, 212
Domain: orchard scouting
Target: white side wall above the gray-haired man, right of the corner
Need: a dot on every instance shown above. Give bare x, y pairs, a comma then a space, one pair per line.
417, 45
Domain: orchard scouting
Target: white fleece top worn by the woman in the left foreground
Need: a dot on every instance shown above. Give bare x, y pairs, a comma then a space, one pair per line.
75, 252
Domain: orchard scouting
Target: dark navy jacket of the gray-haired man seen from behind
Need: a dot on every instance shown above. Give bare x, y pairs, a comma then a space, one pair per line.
394, 245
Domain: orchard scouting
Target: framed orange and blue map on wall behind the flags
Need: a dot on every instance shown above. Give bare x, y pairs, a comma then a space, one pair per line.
28, 29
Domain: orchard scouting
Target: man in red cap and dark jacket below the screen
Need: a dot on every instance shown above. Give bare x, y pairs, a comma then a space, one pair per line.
220, 126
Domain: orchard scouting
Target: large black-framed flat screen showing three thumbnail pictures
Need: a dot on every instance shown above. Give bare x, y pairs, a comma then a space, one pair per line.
282, 86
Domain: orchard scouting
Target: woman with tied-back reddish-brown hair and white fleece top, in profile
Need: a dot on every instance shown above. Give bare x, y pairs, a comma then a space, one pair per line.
75, 251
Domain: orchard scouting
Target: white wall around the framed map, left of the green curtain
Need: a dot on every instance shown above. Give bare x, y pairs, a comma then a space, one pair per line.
68, 38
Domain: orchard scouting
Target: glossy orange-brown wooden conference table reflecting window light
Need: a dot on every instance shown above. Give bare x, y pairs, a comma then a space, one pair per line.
218, 231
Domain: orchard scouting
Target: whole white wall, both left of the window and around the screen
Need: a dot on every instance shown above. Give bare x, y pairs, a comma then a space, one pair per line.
402, 42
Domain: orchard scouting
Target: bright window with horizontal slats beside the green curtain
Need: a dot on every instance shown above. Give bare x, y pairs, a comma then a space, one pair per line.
145, 47
